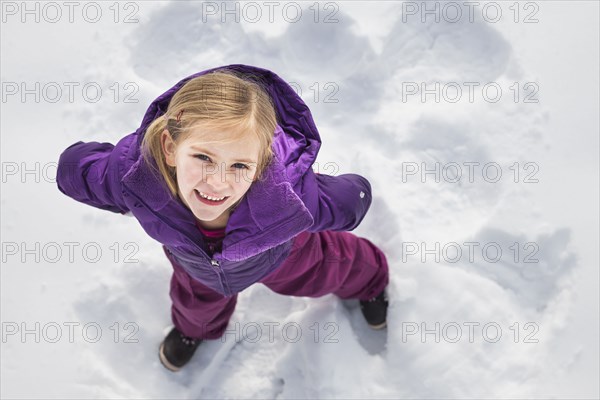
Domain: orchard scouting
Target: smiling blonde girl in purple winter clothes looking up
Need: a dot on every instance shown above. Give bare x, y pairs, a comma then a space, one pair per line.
220, 173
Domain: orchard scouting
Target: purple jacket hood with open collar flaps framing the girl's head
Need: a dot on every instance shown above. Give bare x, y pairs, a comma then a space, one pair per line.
271, 212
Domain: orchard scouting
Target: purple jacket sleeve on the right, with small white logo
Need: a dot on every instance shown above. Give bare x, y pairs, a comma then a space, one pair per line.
337, 203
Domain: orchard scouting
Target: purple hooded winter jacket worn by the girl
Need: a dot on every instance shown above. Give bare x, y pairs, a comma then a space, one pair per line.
290, 199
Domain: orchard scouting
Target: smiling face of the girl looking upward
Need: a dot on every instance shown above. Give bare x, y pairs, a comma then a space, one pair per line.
212, 177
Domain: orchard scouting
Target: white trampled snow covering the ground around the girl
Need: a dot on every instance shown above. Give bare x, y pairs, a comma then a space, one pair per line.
117, 302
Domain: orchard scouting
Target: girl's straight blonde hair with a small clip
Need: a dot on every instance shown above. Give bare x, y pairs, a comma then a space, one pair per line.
214, 101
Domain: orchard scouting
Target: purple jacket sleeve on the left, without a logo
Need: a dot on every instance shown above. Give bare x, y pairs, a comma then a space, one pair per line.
91, 173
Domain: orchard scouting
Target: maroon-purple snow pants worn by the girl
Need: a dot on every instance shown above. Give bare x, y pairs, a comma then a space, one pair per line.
319, 263
